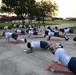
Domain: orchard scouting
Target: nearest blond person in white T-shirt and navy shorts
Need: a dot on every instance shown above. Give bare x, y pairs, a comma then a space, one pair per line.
62, 57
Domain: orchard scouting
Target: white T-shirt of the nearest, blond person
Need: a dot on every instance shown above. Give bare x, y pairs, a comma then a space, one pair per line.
62, 56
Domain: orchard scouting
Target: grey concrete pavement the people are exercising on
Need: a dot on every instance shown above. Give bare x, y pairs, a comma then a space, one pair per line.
14, 61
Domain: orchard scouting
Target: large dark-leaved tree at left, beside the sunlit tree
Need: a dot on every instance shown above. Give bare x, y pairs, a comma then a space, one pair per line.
19, 7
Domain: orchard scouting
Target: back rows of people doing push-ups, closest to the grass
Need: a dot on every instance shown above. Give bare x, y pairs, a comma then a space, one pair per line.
48, 31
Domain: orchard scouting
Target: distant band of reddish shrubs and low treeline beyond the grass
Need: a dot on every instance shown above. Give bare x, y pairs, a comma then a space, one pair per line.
5, 18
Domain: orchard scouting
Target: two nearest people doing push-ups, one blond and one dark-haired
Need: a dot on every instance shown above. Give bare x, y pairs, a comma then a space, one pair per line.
61, 57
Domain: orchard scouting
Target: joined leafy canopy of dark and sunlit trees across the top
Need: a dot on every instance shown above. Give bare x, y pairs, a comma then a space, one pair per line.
30, 8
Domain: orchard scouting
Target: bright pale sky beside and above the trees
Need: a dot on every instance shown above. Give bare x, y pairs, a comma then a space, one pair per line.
67, 8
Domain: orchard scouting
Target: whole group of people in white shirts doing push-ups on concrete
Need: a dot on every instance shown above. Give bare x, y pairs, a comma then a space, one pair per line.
60, 55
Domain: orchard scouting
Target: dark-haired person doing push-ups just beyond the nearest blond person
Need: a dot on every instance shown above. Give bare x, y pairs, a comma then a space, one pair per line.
35, 45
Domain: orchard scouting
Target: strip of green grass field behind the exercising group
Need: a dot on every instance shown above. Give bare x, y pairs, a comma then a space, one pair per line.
40, 24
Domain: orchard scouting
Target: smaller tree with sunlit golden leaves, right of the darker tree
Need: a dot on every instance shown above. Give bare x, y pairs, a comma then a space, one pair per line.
47, 8
